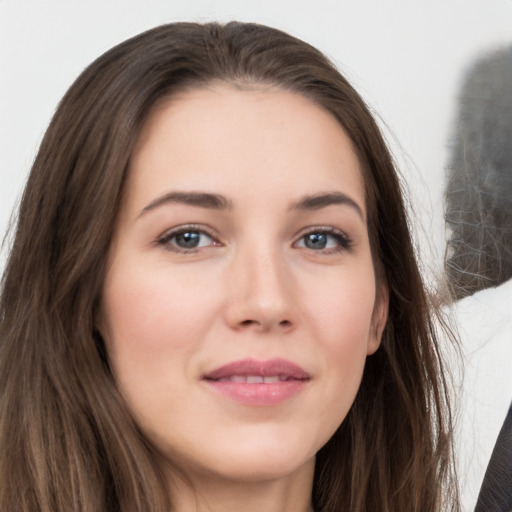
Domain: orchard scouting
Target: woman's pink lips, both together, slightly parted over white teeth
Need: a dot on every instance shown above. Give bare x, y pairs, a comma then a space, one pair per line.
258, 382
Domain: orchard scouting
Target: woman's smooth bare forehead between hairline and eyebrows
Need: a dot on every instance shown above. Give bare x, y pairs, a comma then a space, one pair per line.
243, 138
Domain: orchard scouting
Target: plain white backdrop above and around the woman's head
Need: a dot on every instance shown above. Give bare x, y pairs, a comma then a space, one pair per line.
406, 57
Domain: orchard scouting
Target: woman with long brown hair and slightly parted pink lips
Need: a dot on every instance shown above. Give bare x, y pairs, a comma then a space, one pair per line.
212, 301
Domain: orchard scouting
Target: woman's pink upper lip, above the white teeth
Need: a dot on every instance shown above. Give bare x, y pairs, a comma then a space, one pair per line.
269, 368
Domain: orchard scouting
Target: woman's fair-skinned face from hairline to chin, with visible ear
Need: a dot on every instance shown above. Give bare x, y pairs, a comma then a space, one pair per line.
239, 305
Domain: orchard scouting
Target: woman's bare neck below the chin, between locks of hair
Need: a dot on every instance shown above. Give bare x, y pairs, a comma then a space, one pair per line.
291, 493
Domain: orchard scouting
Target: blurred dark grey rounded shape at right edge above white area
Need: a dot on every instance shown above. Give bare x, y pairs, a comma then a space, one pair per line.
478, 195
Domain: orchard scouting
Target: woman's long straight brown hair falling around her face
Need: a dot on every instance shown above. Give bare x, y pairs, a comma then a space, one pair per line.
67, 440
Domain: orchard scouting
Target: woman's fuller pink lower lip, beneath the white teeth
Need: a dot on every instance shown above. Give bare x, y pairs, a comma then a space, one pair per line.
258, 394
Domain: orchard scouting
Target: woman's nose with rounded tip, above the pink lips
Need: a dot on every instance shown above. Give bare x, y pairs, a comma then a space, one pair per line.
261, 294
